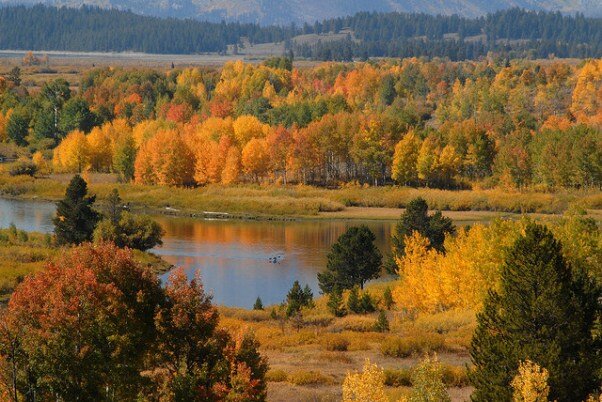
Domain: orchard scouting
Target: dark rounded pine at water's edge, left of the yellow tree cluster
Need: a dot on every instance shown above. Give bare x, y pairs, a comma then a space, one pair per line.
353, 260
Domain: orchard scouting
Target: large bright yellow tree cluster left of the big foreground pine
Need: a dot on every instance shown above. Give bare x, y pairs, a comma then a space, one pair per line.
460, 278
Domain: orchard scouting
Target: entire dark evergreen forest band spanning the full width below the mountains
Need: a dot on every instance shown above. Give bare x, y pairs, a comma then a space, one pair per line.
514, 33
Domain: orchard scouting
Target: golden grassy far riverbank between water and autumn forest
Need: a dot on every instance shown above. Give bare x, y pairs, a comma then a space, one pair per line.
306, 202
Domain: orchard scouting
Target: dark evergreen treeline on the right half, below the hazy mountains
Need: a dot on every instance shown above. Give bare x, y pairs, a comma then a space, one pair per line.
514, 33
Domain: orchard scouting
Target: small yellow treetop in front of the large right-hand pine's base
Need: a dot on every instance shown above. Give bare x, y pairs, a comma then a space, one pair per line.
531, 383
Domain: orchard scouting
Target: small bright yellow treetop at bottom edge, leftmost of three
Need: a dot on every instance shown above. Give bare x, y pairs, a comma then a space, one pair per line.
367, 386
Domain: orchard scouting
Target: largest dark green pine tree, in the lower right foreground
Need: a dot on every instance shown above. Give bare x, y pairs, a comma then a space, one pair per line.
544, 311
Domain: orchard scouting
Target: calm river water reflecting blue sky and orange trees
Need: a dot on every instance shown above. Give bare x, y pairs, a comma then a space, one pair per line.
232, 256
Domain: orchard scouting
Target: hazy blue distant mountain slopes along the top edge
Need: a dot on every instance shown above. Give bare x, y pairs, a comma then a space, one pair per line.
268, 12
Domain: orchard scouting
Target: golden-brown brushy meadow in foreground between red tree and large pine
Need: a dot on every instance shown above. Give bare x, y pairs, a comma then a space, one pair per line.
309, 359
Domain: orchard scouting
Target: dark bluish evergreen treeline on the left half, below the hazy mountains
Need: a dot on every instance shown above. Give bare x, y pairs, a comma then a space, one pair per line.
94, 29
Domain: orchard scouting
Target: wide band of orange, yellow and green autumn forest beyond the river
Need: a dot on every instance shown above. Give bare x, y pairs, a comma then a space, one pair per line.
432, 124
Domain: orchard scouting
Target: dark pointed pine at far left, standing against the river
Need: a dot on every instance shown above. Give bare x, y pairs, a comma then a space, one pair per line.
75, 219
